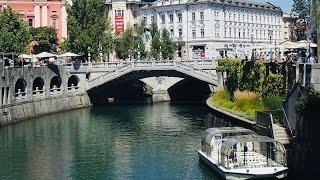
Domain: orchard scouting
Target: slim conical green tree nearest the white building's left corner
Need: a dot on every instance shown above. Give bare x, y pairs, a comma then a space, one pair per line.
167, 46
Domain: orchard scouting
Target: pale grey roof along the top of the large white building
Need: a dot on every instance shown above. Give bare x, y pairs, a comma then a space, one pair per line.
242, 3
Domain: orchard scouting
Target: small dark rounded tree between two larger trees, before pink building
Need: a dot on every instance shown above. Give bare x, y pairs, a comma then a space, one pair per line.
45, 39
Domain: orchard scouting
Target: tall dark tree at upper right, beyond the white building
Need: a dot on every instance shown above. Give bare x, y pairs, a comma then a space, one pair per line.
302, 9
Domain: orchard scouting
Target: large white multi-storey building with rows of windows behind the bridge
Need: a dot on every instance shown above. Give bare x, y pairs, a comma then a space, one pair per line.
209, 28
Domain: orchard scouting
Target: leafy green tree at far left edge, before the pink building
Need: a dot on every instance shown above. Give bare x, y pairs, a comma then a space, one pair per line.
14, 32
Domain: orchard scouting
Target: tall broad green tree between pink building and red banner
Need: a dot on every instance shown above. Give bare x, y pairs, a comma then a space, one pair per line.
89, 27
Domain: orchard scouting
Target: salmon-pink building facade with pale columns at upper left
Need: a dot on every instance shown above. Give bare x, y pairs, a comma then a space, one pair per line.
38, 13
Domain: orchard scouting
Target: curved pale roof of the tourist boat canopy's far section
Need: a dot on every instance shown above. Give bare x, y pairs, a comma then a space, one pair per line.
211, 133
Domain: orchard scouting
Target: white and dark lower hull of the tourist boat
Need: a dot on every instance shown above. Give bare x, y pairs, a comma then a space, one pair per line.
237, 175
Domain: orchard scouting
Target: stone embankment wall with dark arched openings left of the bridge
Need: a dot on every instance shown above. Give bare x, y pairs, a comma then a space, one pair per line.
28, 92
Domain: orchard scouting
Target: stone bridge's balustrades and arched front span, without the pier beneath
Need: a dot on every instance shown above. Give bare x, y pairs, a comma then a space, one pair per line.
203, 70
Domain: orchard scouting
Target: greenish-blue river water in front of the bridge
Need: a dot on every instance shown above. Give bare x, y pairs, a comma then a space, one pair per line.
144, 141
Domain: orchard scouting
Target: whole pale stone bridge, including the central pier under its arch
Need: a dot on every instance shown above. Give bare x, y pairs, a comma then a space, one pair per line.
171, 72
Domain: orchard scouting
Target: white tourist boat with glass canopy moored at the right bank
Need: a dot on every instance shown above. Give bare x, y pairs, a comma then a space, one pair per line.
239, 153
